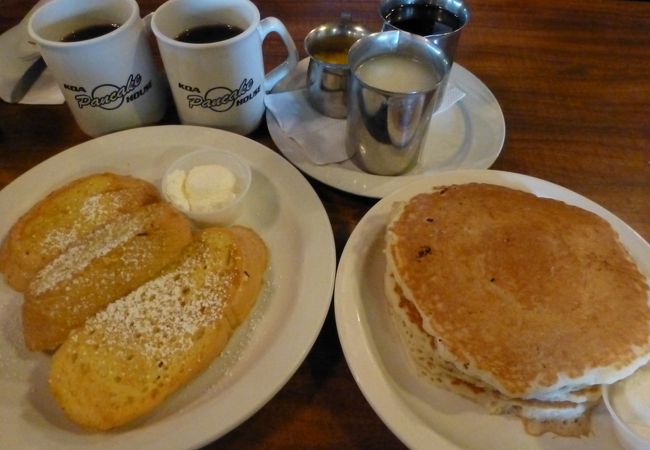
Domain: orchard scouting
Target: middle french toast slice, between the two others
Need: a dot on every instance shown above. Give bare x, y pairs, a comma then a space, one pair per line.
107, 264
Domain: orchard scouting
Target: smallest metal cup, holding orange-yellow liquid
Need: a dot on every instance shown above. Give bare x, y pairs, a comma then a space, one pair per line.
327, 81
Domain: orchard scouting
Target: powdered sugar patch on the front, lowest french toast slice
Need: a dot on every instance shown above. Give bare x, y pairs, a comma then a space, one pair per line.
165, 315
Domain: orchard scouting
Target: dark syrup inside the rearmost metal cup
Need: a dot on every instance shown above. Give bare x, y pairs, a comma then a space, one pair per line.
423, 19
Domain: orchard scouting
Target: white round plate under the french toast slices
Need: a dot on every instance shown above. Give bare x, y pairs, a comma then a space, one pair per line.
264, 352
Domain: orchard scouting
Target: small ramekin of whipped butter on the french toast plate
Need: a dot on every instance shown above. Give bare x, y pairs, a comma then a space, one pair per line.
208, 185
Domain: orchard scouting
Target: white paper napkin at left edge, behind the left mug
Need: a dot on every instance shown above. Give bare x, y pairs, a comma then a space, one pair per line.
17, 55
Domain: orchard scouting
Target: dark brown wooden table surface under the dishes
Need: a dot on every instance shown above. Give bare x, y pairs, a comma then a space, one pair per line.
573, 80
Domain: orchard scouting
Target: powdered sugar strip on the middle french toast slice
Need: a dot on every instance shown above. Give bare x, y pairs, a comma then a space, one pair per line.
99, 242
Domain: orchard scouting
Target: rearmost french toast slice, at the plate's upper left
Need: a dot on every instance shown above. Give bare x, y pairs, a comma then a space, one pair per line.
65, 216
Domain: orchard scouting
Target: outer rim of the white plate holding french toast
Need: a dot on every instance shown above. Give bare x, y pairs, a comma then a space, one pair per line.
306, 317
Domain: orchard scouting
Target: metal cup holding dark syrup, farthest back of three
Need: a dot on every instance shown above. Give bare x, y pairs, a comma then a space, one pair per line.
447, 41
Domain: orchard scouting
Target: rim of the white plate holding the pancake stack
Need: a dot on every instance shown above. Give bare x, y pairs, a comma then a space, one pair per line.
365, 362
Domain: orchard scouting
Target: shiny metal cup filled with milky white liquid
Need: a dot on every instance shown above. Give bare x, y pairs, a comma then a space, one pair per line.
385, 130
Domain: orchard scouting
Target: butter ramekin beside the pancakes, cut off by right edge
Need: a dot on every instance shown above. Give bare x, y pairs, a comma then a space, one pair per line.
628, 402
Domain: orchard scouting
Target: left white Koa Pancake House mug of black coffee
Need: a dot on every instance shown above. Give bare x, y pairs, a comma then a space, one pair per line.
109, 82
